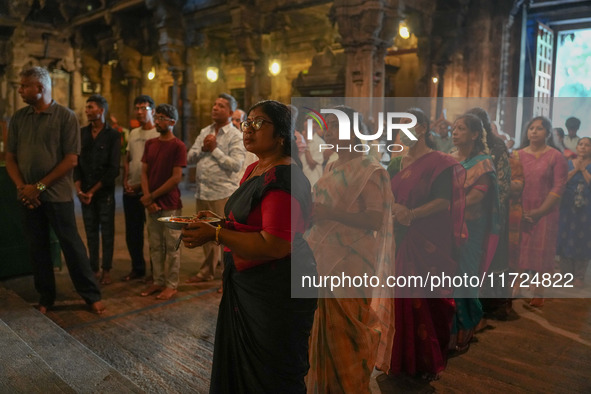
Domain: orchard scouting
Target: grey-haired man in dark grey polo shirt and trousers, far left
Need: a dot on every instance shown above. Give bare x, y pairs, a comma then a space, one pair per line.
43, 148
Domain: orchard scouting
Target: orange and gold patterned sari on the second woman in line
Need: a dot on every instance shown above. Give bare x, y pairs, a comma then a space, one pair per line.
353, 328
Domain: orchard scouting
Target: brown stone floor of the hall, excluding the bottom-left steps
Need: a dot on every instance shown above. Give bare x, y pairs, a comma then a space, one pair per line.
166, 346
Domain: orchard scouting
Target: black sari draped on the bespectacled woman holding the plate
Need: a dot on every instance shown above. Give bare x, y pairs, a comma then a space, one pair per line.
262, 333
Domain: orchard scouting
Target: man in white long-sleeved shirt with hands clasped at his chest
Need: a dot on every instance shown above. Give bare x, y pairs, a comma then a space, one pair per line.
219, 154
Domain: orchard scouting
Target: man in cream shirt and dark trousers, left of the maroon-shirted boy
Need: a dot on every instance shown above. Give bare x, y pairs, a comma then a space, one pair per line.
135, 214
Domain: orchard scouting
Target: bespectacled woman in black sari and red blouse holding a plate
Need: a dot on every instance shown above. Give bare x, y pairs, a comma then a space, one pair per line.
262, 333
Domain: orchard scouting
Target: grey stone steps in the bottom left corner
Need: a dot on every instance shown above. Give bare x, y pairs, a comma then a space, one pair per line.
39, 356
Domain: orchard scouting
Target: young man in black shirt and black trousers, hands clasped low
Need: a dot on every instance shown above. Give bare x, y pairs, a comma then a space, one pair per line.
94, 177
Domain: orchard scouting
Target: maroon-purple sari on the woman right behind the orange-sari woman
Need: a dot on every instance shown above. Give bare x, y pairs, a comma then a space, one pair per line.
423, 325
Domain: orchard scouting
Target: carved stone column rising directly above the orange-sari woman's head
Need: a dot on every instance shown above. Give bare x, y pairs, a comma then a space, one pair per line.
366, 30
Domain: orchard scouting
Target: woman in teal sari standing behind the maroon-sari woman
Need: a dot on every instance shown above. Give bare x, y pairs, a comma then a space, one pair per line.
481, 217
